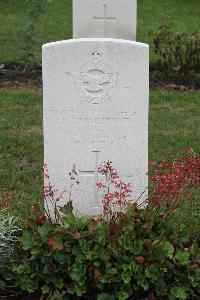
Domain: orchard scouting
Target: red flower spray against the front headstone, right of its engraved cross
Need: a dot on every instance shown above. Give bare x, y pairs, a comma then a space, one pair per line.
116, 192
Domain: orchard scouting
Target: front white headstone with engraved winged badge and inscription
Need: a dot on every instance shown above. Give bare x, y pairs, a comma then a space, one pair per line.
95, 110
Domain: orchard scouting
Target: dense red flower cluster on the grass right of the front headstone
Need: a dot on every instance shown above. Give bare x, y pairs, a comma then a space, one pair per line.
170, 179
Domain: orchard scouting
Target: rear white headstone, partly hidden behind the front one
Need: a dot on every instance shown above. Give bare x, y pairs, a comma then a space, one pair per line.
105, 19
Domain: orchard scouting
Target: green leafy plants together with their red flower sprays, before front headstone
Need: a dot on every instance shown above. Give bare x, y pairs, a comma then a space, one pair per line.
126, 253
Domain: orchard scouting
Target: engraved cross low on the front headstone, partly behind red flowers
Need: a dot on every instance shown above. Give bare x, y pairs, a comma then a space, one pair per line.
94, 174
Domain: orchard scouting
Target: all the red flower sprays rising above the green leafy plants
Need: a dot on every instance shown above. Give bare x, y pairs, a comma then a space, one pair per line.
171, 182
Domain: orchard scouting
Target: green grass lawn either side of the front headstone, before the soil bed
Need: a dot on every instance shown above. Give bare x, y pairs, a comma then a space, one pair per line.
174, 127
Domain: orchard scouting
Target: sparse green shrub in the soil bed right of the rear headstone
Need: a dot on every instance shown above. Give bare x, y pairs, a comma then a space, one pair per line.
179, 55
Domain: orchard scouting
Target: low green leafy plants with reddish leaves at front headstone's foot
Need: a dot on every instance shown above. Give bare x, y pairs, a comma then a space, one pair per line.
133, 256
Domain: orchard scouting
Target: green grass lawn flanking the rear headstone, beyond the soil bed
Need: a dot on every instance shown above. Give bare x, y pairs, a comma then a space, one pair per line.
56, 23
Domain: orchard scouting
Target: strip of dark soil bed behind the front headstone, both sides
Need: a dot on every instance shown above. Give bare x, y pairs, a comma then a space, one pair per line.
14, 77
